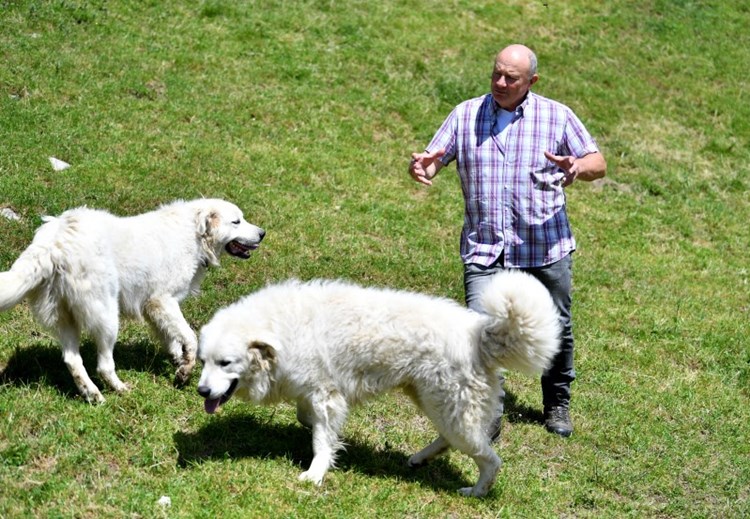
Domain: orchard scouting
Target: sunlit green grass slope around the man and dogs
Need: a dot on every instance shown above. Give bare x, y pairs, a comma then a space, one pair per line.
305, 114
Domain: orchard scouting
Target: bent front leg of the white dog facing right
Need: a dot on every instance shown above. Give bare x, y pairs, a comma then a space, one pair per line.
178, 338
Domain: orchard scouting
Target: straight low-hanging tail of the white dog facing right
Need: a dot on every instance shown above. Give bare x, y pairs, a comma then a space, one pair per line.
31, 268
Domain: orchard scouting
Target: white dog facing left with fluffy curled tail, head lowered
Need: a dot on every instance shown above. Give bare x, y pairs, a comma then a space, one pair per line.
330, 345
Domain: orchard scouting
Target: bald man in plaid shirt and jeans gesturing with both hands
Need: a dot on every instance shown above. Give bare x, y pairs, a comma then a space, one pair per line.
515, 151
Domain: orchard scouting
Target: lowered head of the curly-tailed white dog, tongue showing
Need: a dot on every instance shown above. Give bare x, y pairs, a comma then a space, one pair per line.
233, 363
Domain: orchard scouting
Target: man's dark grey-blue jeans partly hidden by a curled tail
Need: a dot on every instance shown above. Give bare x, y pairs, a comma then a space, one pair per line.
557, 277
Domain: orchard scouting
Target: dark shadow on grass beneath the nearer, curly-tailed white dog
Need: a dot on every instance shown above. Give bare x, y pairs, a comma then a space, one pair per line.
233, 437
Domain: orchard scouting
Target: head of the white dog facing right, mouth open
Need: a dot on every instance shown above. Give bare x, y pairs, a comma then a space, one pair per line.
222, 228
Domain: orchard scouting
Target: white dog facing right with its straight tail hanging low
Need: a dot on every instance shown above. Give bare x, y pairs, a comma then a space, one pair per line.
86, 267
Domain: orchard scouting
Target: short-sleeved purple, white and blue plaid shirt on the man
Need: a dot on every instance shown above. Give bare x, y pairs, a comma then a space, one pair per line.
514, 200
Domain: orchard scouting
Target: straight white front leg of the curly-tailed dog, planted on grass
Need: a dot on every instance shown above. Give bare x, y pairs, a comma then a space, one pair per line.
329, 411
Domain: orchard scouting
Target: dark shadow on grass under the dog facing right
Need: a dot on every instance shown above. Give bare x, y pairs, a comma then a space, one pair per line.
42, 363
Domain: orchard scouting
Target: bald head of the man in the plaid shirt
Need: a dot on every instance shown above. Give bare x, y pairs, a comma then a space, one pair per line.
513, 75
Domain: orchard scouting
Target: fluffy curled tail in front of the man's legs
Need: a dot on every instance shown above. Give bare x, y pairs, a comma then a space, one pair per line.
523, 329
